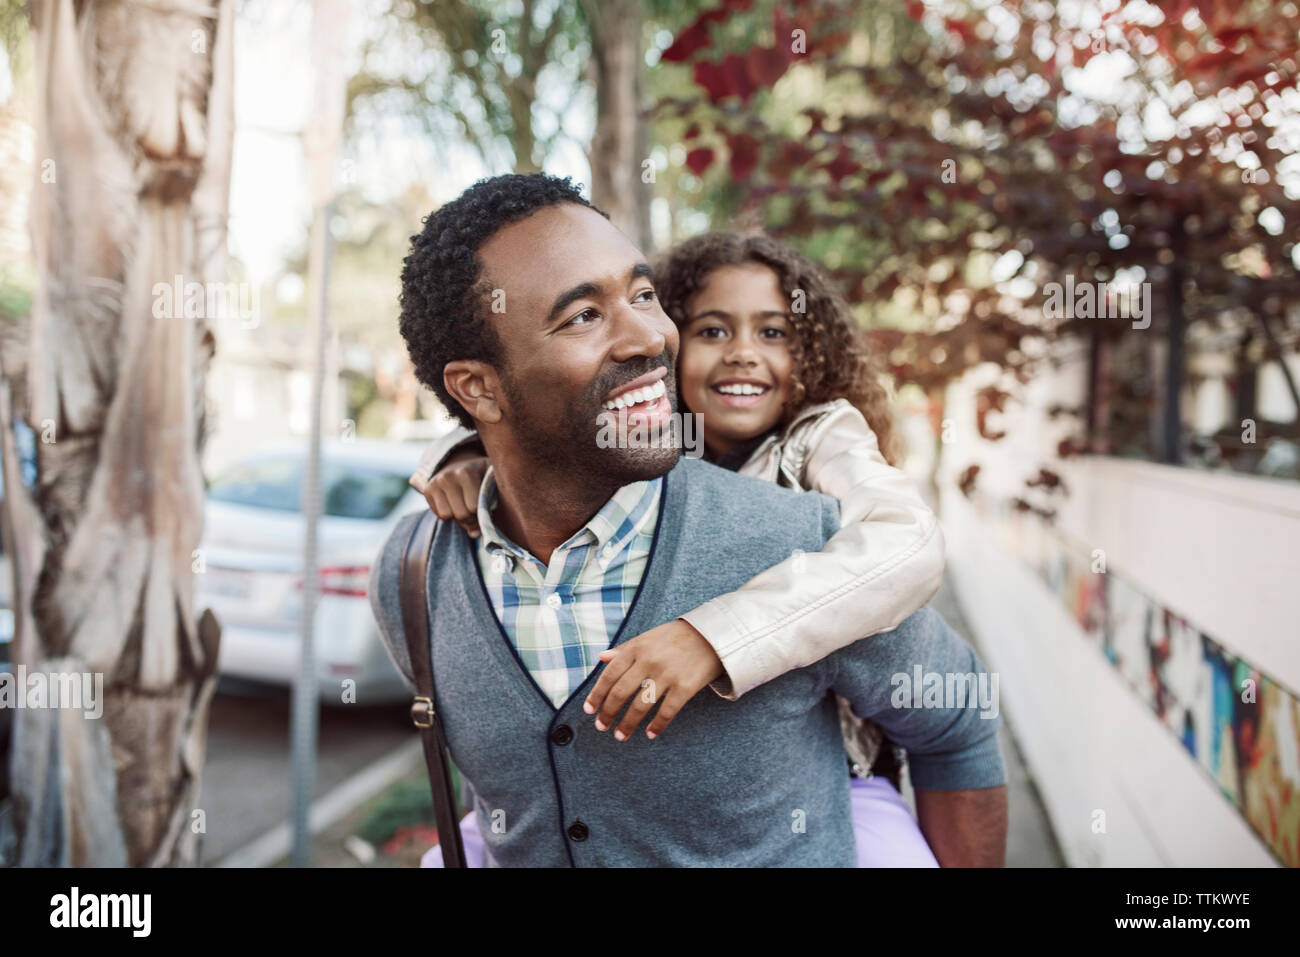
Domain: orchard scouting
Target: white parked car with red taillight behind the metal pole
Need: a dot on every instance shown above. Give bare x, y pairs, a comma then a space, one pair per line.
253, 558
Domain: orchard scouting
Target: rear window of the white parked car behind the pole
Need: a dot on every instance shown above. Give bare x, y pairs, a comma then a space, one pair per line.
353, 491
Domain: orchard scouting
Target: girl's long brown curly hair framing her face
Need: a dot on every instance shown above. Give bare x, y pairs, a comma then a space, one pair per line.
830, 356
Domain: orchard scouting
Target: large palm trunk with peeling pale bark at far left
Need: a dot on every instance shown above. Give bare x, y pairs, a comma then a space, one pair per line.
133, 146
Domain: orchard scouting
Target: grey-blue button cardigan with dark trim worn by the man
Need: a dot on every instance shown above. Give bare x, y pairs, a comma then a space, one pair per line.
757, 782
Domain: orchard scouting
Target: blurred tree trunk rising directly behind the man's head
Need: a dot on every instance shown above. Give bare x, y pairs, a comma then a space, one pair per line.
621, 144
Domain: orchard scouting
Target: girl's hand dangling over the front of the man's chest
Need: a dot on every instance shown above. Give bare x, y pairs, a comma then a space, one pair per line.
665, 666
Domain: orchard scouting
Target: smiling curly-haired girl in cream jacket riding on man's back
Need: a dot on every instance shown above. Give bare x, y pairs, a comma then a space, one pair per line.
770, 358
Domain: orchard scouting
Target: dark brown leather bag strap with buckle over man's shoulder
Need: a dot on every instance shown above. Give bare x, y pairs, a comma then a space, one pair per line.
413, 582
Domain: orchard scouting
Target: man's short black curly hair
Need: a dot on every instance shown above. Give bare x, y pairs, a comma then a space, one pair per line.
445, 297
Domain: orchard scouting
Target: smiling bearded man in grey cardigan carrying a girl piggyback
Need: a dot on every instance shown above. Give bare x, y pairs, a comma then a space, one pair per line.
528, 313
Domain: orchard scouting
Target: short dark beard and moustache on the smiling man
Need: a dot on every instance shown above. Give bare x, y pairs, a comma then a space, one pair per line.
570, 443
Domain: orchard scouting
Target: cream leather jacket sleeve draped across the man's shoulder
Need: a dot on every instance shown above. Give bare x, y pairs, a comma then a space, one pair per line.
886, 562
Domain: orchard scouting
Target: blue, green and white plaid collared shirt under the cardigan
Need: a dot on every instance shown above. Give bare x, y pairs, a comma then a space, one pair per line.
561, 617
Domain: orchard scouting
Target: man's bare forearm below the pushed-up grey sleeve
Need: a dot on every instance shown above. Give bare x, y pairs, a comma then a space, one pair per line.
965, 829
